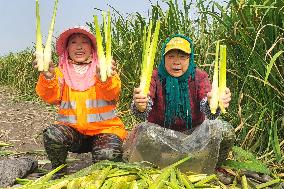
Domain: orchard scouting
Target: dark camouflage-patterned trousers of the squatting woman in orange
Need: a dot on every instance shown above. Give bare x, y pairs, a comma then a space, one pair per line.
60, 139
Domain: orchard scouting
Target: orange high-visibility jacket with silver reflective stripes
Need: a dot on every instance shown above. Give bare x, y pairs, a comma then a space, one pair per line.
91, 112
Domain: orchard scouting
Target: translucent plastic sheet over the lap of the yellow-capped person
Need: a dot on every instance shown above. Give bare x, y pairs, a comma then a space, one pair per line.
161, 146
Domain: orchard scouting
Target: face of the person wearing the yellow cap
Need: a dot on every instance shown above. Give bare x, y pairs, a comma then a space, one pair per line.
176, 62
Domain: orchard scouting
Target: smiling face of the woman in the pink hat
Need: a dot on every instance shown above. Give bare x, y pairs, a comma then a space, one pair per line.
79, 47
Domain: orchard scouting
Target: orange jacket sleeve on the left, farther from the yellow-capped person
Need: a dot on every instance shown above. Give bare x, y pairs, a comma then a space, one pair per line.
49, 90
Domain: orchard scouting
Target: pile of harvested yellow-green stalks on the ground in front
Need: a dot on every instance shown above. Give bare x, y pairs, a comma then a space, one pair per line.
142, 175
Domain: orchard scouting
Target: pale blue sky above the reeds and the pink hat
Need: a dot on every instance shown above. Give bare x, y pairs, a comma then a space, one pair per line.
17, 18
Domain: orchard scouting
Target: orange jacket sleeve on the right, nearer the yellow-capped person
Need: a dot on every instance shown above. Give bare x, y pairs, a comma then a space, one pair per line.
110, 89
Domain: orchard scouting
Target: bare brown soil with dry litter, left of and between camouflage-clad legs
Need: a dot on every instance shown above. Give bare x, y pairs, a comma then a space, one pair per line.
21, 125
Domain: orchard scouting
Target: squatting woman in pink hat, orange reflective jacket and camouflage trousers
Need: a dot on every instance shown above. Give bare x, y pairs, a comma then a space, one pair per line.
87, 119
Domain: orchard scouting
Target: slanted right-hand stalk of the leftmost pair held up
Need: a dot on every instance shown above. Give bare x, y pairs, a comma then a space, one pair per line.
47, 48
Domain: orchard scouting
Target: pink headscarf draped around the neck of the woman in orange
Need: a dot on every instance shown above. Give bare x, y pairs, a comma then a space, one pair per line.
76, 81
